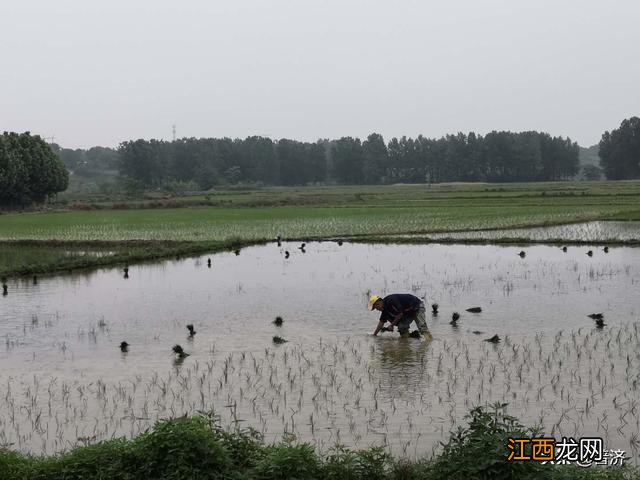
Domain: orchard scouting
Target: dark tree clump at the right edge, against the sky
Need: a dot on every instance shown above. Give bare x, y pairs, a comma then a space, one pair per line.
620, 151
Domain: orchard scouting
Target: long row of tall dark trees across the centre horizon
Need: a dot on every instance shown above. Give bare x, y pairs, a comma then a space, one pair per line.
496, 157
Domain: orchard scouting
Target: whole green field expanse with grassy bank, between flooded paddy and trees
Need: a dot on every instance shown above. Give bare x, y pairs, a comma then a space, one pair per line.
149, 229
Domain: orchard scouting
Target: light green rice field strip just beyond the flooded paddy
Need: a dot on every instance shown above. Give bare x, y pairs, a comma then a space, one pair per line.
212, 224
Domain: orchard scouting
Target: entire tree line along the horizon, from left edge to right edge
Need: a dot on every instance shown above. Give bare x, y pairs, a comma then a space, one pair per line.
31, 171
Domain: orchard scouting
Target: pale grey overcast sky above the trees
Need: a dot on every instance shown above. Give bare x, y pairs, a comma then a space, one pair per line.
98, 73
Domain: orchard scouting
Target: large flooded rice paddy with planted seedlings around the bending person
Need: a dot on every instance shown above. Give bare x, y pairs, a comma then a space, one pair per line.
64, 381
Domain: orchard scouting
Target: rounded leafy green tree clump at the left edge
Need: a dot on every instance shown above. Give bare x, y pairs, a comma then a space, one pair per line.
29, 170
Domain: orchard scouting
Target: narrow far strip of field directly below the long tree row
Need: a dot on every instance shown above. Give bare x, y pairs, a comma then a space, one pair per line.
362, 194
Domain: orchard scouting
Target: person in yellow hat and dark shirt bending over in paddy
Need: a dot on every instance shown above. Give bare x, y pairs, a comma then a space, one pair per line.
400, 309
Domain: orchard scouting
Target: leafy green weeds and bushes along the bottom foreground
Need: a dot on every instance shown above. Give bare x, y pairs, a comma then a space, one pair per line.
196, 448
